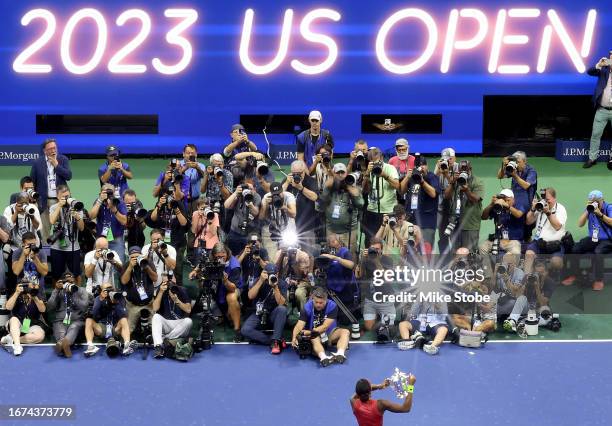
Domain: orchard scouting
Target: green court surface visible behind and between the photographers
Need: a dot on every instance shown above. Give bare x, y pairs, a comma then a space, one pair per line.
569, 179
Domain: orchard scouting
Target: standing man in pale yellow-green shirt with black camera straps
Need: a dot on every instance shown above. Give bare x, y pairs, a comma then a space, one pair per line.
380, 182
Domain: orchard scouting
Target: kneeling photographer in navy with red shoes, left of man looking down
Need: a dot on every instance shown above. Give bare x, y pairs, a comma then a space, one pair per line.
269, 295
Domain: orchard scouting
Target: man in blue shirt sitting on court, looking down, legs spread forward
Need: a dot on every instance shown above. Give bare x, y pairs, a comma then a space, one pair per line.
318, 322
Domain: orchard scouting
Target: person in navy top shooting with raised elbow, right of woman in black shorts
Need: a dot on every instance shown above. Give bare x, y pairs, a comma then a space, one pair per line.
110, 213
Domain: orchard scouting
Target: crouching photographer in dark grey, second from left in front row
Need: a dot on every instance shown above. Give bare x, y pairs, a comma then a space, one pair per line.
69, 304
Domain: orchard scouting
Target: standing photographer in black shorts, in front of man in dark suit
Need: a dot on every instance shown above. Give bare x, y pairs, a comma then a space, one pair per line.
66, 217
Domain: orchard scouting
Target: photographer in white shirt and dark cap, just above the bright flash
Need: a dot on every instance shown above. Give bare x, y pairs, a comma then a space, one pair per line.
279, 209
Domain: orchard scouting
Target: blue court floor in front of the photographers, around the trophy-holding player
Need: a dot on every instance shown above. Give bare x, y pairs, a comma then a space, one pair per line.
513, 383
